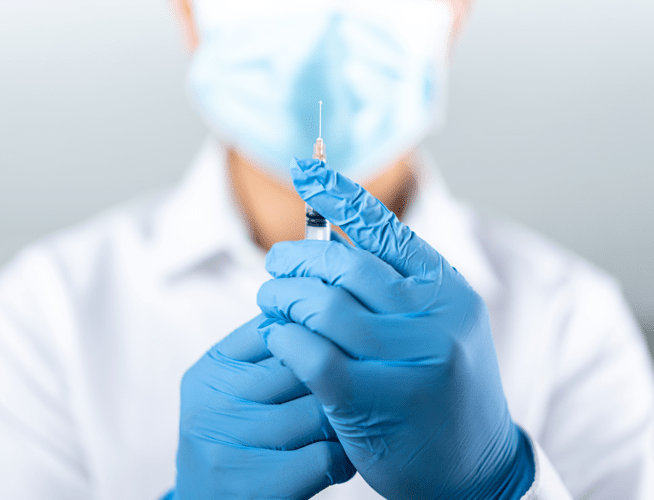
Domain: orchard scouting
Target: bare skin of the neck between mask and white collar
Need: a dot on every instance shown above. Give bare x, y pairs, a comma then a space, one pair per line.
274, 212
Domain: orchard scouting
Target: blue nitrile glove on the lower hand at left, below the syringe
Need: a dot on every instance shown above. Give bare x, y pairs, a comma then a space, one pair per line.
250, 429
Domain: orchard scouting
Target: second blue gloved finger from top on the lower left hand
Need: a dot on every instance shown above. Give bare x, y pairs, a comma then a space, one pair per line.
264, 382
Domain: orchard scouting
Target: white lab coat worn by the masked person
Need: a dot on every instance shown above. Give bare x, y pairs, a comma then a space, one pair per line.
98, 324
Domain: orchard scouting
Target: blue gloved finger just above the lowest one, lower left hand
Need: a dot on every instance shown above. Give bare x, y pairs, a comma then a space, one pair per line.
286, 426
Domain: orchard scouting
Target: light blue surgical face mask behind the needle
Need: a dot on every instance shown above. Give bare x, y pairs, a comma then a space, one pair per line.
379, 67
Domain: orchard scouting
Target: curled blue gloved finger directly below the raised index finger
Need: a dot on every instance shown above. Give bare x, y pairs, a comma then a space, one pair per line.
372, 281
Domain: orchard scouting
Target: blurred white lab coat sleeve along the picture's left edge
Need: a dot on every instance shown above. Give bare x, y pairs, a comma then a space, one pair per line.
40, 454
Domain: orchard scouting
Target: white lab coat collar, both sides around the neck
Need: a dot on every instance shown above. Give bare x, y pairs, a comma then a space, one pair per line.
199, 221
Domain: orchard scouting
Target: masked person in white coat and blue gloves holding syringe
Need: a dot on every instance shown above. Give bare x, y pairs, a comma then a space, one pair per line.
462, 358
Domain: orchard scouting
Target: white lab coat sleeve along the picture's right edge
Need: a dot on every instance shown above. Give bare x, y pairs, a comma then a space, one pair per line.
599, 427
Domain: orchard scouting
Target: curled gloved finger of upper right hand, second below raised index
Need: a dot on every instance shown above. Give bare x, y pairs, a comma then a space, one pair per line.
336, 315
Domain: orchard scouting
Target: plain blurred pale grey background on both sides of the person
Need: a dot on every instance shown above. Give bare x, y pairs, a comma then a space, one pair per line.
551, 120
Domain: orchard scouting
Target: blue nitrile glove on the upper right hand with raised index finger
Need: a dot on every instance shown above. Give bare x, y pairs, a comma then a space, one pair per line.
397, 347
